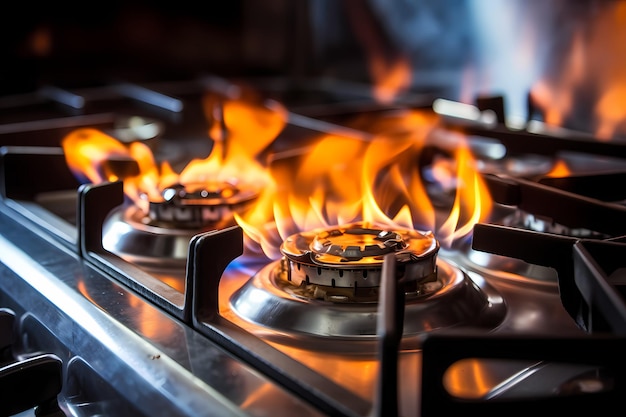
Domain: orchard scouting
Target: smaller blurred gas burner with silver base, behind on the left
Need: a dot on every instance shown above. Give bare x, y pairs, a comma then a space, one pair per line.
161, 237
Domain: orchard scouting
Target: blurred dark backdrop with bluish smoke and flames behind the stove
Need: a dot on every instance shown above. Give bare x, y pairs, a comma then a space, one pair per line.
566, 57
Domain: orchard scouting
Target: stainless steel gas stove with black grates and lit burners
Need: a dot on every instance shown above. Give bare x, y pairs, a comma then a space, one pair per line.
188, 297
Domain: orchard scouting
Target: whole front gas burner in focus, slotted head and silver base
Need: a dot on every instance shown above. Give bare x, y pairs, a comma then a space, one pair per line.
327, 285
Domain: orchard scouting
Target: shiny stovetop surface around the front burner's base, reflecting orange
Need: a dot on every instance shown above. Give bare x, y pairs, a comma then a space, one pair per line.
521, 305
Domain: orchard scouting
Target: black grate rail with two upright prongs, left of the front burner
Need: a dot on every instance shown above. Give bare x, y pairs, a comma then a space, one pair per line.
95, 202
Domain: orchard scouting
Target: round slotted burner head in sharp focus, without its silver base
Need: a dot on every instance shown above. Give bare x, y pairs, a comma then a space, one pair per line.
351, 257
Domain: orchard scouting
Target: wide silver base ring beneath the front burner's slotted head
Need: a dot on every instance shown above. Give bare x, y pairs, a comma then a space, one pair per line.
276, 304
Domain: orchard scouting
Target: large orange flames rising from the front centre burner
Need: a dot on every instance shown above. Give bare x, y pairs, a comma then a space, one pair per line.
342, 180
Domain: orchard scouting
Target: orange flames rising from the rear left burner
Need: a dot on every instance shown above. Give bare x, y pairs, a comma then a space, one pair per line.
240, 133
